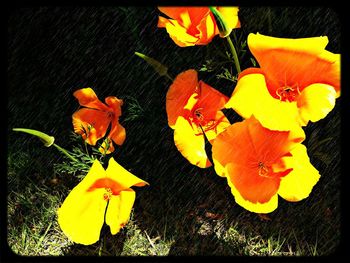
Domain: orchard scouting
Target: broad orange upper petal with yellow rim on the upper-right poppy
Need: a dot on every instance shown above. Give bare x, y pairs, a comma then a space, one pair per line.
300, 62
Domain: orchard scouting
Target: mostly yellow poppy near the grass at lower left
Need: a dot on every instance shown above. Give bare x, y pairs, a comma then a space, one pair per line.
83, 212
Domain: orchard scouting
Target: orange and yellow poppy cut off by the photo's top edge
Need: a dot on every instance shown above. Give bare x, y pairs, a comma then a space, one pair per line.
189, 26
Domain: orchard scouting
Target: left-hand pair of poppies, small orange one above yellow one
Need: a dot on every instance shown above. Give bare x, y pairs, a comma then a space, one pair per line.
103, 196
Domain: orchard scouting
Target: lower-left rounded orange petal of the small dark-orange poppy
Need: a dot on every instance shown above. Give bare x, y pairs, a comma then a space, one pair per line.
91, 124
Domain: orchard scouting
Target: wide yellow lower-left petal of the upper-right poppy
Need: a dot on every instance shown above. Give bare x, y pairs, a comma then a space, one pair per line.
251, 97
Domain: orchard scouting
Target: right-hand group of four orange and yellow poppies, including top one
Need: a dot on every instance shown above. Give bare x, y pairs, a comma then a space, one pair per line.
262, 156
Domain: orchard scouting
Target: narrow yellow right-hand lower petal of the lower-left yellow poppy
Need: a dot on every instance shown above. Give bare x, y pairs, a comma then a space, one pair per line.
119, 210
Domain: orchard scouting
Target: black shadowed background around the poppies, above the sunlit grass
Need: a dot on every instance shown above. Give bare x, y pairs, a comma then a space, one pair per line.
53, 51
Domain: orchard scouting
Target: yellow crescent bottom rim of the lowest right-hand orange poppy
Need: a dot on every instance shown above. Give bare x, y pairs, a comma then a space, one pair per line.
267, 207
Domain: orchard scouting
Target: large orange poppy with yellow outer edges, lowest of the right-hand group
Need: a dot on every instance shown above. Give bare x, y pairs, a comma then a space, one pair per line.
261, 164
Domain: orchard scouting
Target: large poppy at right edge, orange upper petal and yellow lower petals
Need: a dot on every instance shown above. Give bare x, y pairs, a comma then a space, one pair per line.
297, 82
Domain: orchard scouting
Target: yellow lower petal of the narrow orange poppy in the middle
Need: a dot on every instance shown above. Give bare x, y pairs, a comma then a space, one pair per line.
190, 145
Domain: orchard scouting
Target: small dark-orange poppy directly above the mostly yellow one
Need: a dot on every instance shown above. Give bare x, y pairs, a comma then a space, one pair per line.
92, 122
